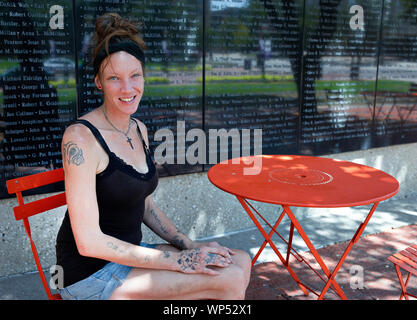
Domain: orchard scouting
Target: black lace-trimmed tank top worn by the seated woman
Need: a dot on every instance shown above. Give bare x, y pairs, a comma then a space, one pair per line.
121, 192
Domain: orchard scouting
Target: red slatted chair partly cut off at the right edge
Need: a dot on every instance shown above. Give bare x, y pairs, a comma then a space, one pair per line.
406, 260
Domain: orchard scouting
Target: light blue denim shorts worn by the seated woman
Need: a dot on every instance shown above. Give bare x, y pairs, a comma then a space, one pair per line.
101, 284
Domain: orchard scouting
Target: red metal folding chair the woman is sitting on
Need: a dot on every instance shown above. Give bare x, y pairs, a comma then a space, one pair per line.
25, 210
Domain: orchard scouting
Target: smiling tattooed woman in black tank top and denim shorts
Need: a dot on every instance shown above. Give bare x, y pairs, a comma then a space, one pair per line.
109, 180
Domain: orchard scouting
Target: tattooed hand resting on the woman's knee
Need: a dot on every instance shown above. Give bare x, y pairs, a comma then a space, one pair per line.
199, 260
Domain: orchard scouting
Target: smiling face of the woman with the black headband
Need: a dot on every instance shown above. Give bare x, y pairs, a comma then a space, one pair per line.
121, 79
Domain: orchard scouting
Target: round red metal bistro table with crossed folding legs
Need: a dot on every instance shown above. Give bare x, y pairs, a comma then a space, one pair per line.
303, 181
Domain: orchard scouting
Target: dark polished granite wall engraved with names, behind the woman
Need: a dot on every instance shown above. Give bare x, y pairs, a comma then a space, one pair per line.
317, 76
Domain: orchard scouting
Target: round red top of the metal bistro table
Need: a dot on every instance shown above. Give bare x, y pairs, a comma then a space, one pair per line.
303, 181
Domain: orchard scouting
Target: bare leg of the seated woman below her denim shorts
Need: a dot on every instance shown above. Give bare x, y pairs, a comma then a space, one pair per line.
144, 284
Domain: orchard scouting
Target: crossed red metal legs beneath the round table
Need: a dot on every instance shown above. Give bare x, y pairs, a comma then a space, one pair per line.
330, 282
